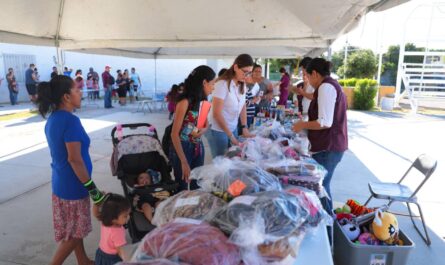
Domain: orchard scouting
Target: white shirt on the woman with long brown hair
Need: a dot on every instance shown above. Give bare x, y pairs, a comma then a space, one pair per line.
233, 104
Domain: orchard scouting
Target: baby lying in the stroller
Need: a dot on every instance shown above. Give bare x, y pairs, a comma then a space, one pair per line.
147, 202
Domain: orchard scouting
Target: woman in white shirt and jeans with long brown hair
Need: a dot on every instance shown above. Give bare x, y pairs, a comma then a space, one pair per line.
229, 105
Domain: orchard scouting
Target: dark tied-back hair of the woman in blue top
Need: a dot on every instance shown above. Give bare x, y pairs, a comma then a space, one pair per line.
50, 94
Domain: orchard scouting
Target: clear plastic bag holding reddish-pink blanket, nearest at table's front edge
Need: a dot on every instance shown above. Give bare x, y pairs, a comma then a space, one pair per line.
189, 241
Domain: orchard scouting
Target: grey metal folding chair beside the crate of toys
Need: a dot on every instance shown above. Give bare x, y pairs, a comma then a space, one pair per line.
398, 192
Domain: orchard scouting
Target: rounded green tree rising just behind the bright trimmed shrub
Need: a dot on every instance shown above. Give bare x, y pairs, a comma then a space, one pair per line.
361, 64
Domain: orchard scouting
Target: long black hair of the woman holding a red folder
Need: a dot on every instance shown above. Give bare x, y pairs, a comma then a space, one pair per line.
194, 88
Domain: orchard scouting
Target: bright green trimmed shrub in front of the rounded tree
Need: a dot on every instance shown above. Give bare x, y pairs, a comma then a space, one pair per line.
365, 92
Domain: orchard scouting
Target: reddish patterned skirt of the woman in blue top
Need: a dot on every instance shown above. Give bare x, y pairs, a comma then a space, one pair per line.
71, 218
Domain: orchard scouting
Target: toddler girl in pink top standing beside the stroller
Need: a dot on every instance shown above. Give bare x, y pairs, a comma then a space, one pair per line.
114, 214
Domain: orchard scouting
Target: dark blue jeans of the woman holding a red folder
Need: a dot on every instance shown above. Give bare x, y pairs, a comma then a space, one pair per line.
194, 154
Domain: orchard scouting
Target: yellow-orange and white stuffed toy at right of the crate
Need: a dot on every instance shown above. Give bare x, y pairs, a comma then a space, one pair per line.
385, 227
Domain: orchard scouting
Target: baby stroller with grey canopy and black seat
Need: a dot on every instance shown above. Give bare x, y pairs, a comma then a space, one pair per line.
133, 154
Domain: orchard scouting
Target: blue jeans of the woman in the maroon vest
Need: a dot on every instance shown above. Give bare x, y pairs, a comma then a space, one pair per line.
329, 160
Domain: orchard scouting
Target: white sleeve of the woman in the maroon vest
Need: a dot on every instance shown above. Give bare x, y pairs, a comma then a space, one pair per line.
327, 96
